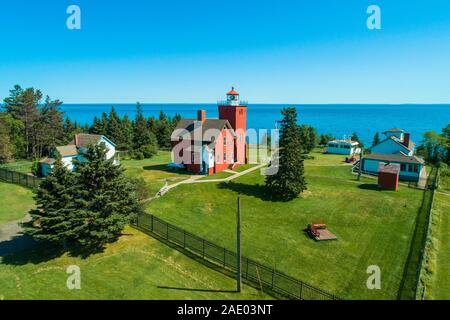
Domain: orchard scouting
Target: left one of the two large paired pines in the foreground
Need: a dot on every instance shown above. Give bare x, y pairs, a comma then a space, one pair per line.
55, 219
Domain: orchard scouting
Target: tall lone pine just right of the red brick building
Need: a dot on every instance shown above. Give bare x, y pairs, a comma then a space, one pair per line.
286, 179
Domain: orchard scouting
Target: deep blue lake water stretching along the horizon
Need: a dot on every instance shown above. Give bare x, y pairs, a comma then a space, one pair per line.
339, 120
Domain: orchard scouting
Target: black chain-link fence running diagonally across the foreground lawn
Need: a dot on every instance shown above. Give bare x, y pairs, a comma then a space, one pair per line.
259, 274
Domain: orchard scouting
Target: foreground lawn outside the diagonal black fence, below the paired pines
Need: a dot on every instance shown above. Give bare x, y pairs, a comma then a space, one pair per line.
136, 267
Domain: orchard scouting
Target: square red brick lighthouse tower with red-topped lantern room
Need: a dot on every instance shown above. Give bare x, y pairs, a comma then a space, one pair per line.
236, 114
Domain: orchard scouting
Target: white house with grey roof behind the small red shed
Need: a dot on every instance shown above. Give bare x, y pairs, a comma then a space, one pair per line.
397, 149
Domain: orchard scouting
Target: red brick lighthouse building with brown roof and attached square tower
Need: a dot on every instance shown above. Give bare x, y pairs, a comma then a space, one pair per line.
207, 146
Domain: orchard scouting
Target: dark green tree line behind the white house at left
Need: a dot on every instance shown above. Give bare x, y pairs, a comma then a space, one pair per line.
32, 125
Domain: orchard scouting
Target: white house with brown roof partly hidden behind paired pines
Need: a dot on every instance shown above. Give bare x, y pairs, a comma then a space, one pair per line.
75, 150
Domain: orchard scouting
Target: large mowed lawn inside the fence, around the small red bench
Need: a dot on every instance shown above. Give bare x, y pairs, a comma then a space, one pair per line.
374, 227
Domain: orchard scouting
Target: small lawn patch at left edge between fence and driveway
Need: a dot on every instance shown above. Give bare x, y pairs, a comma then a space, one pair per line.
15, 202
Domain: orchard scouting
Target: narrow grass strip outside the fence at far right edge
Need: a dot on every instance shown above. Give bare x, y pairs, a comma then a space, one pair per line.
441, 277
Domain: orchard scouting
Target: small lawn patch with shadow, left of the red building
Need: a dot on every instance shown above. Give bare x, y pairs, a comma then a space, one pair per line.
154, 171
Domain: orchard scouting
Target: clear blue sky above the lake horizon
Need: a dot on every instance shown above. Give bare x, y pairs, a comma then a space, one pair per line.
315, 51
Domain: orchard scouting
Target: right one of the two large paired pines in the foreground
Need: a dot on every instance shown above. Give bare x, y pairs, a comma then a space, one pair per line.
106, 198
